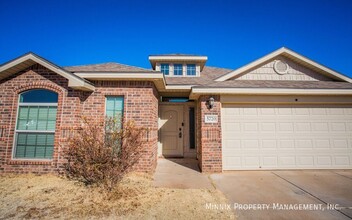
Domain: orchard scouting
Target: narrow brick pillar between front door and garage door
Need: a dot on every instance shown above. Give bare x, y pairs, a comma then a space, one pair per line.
209, 136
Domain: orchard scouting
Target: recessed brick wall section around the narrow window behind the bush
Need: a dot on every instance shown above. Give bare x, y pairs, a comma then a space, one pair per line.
140, 105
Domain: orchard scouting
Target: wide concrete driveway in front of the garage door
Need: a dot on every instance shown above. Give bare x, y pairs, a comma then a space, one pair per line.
281, 194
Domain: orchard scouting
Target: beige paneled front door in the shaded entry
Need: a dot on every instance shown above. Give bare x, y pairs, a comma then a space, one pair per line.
171, 130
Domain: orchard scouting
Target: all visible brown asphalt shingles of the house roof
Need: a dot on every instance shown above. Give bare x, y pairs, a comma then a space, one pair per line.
208, 76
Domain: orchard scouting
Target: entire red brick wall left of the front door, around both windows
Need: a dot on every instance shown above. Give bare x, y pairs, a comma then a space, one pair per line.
141, 105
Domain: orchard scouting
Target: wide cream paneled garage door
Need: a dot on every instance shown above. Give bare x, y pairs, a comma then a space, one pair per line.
286, 137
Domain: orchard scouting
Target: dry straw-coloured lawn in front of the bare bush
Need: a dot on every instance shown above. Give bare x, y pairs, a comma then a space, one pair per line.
29, 196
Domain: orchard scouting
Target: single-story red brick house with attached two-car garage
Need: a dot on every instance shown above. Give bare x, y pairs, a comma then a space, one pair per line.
282, 111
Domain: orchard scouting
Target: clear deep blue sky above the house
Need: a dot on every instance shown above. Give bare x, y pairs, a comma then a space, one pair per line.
230, 33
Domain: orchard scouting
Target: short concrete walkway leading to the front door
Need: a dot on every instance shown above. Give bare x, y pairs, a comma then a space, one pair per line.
180, 173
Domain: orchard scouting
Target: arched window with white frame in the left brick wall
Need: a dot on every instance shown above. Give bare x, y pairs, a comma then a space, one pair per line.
36, 122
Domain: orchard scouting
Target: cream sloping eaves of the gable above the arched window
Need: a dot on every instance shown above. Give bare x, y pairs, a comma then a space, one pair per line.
21, 63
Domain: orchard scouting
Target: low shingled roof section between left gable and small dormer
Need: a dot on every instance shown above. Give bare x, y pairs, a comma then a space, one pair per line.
108, 67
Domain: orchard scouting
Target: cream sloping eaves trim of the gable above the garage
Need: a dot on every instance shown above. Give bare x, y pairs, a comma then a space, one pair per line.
292, 56
